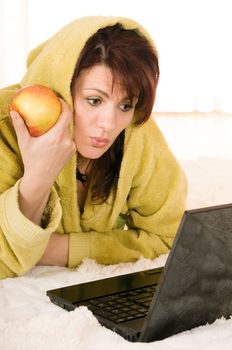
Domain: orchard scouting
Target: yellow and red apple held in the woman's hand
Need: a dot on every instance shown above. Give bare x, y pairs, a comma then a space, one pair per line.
39, 107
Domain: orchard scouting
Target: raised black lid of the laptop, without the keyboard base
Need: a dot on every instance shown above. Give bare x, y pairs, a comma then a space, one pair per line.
196, 284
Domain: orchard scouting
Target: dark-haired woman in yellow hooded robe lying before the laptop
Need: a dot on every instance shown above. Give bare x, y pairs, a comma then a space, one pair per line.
102, 183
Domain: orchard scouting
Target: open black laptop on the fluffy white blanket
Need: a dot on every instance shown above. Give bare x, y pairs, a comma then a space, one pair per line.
192, 289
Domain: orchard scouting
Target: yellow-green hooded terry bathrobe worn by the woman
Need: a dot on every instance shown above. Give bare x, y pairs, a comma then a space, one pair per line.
149, 199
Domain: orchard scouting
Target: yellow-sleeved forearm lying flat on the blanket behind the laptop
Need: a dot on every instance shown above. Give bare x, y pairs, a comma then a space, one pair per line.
117, 246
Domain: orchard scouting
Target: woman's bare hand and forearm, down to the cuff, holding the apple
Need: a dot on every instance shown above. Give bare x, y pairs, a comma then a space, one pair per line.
43, 158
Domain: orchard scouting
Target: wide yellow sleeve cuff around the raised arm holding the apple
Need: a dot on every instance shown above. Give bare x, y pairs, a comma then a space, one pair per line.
22, 242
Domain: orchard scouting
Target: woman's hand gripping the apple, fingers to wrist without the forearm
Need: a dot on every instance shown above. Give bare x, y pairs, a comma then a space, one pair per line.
45, 156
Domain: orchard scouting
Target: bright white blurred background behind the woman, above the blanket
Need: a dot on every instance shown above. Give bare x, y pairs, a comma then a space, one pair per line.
193, 38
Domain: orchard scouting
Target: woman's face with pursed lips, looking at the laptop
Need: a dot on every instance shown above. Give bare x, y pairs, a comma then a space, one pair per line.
100, 113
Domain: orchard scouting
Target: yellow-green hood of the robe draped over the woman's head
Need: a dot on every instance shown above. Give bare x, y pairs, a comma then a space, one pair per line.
53, 63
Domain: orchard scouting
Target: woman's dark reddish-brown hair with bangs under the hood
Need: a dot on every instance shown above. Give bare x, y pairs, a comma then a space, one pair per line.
132, 61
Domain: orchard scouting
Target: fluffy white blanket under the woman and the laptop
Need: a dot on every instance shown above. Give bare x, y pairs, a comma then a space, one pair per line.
29, 321
